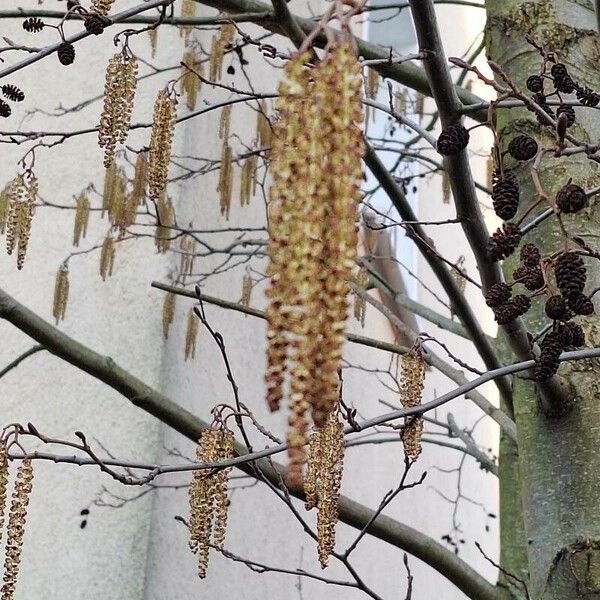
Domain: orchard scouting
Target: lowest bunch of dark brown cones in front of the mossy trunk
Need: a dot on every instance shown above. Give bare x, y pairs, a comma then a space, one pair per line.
569, 278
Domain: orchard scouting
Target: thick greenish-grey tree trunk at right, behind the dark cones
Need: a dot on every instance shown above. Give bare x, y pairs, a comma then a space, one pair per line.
559, 458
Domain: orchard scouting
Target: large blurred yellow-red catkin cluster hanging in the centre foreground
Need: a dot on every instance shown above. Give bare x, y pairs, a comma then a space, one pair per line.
316, 165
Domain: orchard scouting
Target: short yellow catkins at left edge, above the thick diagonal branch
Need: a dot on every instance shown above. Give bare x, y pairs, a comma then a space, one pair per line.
22, 195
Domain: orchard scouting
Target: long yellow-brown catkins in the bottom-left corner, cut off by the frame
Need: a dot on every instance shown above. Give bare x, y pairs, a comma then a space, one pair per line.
17, 514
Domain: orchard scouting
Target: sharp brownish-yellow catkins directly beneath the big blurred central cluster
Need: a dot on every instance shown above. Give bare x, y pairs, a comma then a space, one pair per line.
323, 481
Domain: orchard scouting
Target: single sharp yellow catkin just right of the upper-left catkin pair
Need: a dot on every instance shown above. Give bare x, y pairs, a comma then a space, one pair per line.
161, 139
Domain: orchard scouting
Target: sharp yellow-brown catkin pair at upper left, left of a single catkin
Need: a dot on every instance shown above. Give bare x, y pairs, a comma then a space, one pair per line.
119, 94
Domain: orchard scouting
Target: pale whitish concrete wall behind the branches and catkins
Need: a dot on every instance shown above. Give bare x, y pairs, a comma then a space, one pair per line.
139, 550
